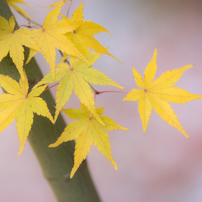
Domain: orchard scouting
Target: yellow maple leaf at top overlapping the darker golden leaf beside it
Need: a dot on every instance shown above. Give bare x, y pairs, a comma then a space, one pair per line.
51, 36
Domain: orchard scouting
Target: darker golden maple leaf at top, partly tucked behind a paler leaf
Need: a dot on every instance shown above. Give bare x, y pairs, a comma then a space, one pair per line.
82, 36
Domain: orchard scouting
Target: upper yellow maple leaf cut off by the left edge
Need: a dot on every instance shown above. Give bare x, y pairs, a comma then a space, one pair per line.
12, 41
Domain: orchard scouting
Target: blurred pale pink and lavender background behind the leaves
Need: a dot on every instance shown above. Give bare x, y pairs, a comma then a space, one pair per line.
159, 165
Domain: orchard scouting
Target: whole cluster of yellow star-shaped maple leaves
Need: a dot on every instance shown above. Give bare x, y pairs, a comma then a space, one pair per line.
73, 37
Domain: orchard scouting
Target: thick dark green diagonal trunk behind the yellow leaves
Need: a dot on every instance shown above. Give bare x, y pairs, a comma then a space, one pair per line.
57, 162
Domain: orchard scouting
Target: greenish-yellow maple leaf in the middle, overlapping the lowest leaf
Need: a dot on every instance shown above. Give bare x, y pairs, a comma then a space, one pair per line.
76, 76
